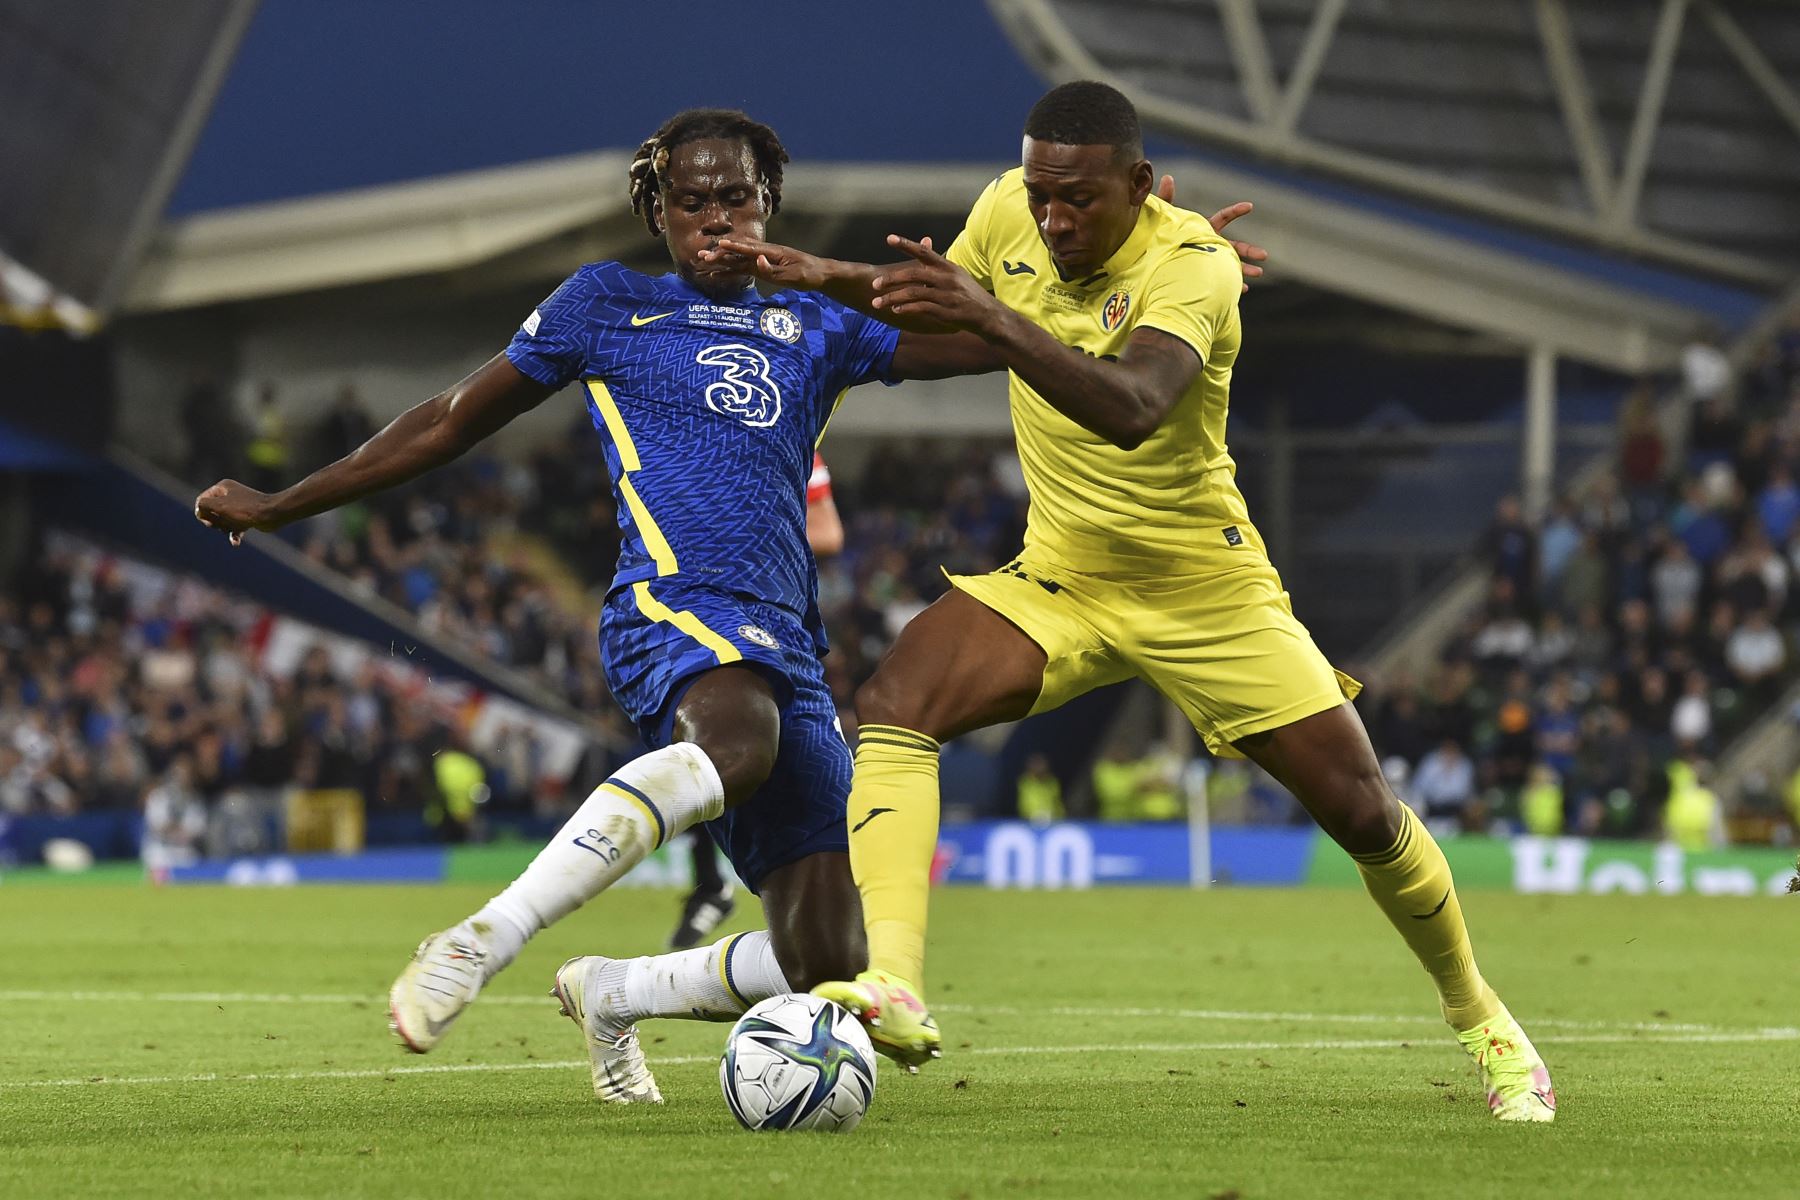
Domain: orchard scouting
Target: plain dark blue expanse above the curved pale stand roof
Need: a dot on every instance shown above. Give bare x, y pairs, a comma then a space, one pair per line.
332, 94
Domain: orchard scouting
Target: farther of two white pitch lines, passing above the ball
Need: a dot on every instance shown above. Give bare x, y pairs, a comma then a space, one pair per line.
1164, 1014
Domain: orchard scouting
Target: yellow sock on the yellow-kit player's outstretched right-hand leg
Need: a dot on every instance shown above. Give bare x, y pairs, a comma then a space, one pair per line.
1412, 884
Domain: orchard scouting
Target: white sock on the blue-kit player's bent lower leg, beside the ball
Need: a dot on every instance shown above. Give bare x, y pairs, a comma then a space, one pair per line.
708, 983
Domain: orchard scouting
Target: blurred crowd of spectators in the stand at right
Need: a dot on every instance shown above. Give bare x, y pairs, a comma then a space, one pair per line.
1628, 634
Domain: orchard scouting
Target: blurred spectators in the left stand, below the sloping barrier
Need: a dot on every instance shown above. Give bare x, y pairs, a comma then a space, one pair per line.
125, 686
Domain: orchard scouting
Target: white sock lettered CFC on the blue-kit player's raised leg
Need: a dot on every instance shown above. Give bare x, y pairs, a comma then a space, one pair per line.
642, 807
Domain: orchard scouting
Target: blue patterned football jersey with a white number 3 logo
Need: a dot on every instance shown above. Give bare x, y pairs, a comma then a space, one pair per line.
710, 411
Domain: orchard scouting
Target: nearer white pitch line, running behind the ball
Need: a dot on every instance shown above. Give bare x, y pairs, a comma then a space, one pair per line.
985, 1052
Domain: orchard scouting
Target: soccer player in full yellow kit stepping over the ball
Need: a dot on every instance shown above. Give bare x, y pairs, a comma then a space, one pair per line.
1117, 318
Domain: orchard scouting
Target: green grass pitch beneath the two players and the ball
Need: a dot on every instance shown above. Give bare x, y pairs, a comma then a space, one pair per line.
210, 1043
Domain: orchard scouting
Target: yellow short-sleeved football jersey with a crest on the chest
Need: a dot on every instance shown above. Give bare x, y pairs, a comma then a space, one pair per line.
1095, 508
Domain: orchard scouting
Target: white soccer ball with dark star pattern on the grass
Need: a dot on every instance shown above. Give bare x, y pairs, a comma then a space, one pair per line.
798, 1062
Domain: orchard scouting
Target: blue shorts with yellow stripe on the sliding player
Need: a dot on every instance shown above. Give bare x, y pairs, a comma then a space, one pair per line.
658, 638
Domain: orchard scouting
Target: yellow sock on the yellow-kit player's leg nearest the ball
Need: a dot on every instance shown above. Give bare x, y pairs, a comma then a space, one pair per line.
894, 837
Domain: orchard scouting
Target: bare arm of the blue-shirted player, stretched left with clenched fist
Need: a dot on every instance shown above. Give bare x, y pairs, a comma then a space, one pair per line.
418, 440
